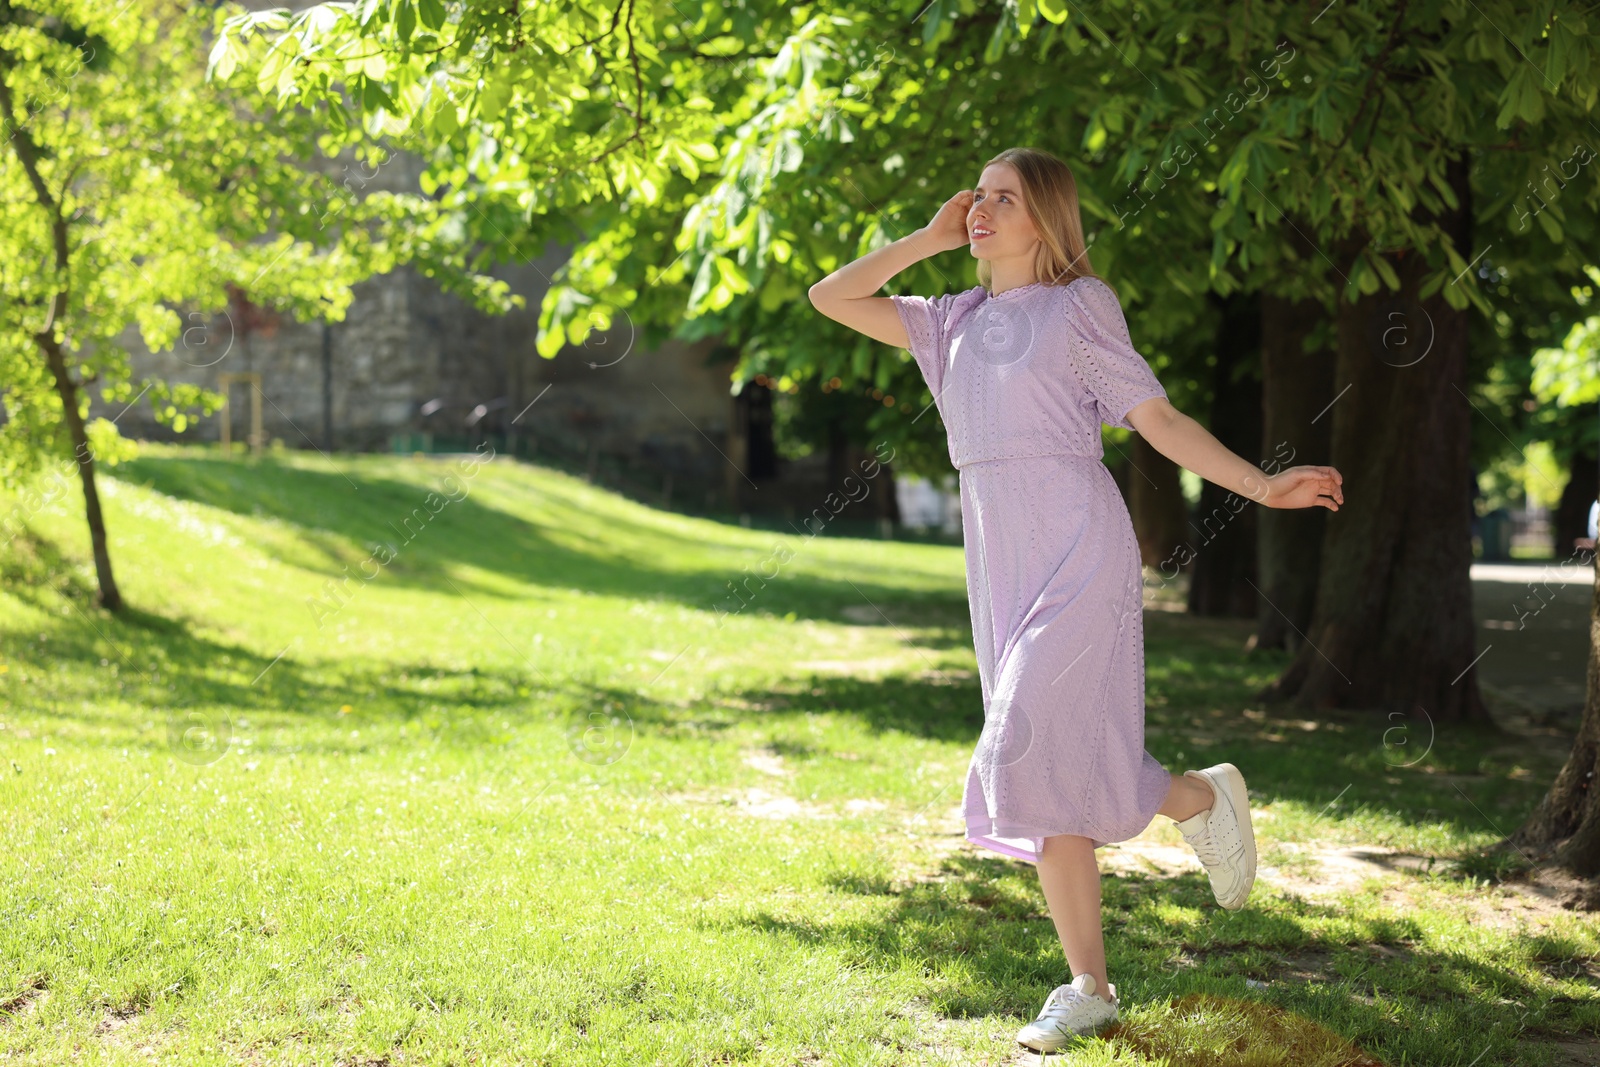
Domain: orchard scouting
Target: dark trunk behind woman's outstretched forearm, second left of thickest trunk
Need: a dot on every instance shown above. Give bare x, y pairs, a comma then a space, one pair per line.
1225, 524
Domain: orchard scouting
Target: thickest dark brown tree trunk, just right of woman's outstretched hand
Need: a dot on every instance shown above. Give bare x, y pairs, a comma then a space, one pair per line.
1393, 626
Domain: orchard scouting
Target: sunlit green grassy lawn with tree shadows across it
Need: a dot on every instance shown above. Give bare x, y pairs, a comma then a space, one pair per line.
537, 788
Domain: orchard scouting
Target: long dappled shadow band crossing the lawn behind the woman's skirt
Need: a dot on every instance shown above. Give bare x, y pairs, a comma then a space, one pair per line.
97, 666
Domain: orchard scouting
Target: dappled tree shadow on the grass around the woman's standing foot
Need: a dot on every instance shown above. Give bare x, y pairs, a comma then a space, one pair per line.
1182, 969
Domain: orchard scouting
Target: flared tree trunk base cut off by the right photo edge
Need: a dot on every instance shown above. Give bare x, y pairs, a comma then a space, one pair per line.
1566, 828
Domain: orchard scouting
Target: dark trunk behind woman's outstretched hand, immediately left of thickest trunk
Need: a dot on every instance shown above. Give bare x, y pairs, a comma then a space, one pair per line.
1297, 386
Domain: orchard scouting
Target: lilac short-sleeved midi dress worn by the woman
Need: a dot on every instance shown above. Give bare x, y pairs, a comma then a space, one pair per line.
1023, 383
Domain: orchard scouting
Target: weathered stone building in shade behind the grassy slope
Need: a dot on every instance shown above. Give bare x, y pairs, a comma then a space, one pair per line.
417, 369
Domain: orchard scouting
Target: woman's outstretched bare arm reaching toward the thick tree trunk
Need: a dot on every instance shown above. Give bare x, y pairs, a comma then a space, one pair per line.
1191, 447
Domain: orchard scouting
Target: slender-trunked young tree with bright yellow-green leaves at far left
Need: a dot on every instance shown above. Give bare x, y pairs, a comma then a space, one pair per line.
135, 194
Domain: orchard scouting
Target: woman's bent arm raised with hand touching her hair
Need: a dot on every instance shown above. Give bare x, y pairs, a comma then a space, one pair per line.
847, 295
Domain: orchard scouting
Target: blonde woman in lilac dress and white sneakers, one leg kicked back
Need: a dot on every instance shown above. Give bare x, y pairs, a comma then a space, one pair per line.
1025, 369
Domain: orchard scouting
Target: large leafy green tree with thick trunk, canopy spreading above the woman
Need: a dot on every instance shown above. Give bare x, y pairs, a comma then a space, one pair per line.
1367, 159
